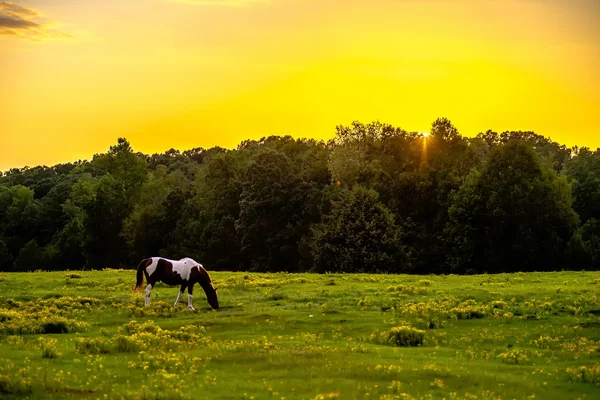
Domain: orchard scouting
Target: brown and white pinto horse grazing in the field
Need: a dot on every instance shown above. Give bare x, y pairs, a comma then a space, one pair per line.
185, 272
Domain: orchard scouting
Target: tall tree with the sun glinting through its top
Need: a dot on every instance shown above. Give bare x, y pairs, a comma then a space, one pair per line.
422, 195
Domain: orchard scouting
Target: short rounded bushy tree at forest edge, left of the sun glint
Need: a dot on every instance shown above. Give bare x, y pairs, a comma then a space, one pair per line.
358, 236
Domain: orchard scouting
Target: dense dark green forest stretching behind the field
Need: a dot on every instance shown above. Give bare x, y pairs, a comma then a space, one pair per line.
376, 198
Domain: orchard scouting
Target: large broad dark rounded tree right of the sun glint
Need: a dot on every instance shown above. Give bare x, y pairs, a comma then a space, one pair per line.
514, 215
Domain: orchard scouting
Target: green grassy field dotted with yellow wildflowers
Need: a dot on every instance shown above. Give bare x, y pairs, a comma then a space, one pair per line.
305, 336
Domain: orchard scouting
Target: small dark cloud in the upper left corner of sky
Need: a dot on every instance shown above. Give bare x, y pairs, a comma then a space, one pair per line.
26, 23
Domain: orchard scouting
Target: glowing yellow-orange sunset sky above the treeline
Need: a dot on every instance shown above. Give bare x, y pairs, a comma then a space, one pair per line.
77, 74
